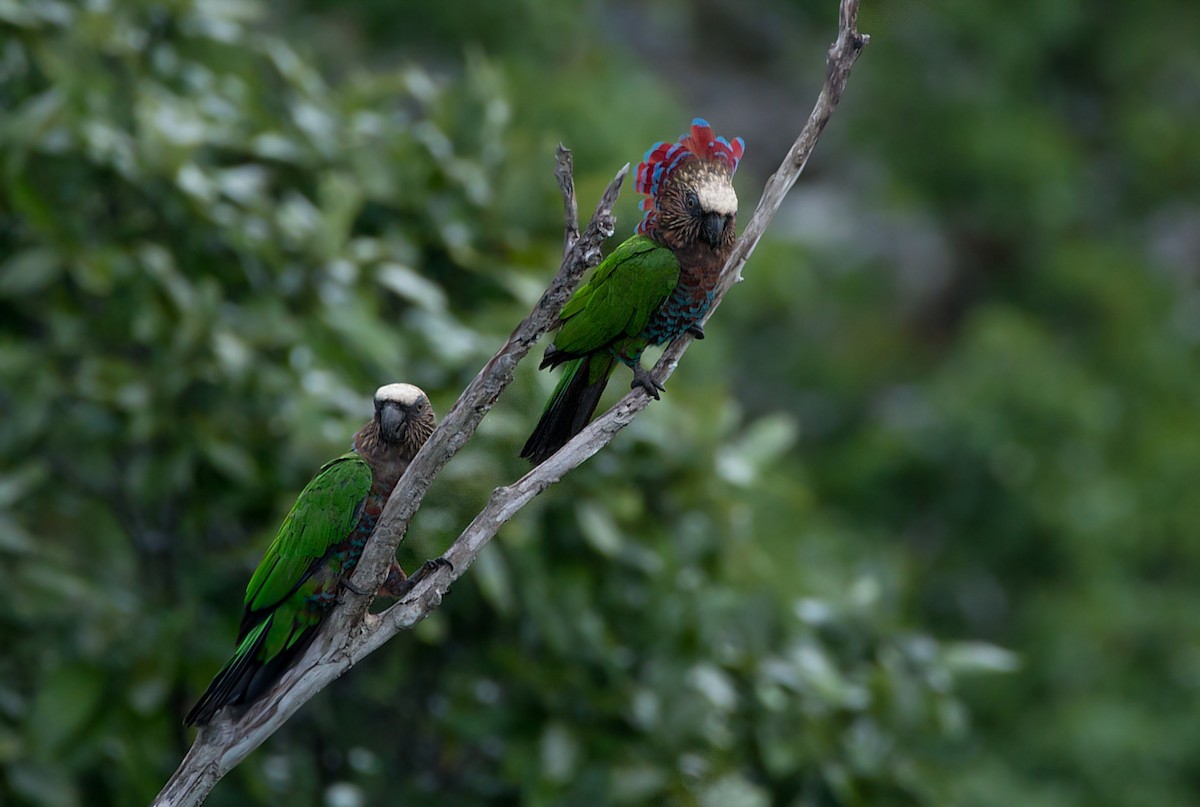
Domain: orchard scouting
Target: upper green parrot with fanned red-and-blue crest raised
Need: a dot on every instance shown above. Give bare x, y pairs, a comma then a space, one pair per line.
653, 289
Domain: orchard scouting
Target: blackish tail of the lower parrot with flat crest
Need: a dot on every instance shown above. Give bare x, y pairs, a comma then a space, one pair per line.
245, 678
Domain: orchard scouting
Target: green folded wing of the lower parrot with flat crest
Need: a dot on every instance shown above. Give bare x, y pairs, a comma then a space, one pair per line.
323, 516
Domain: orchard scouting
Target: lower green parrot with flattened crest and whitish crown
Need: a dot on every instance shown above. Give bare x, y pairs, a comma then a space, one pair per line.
297, 583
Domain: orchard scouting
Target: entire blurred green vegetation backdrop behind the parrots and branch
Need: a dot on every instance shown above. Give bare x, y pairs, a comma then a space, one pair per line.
915, 525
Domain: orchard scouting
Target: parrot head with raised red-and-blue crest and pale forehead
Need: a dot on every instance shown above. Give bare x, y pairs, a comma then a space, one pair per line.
689, 188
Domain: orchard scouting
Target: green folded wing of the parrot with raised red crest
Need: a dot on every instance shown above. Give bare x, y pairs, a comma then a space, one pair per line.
620, 298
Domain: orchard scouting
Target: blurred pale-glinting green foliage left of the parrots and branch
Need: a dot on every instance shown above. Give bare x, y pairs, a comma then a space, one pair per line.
208, 265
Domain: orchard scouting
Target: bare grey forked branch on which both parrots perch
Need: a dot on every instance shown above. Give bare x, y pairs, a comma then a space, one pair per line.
352, 633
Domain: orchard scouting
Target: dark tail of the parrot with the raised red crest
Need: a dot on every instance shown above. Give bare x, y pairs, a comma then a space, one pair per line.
571, 407
